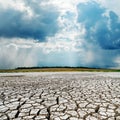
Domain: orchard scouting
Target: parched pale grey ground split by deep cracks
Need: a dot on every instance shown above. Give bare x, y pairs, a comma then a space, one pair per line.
60, 96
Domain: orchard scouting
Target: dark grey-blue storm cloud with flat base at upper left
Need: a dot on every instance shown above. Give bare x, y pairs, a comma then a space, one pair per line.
14, 23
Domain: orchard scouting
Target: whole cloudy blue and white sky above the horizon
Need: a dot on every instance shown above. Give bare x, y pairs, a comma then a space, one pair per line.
59, 33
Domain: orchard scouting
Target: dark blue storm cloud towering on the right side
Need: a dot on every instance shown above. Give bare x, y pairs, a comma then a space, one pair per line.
100, 29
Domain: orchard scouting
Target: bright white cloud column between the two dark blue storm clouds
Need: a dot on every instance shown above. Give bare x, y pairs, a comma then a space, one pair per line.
70, 31
